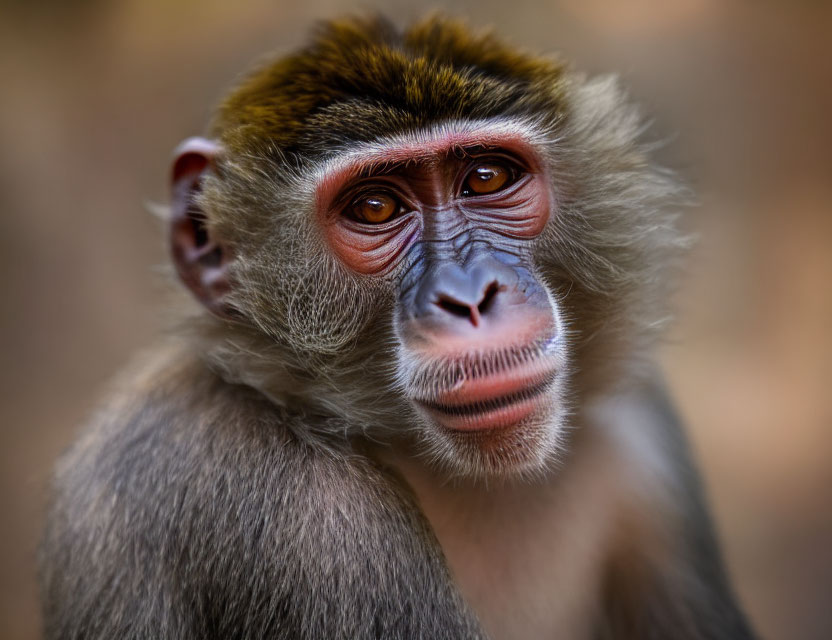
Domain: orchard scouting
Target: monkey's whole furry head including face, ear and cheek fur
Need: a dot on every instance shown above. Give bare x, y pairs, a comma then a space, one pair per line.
424, 235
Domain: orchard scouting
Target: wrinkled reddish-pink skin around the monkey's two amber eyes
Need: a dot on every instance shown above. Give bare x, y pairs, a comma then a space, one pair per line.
429, 187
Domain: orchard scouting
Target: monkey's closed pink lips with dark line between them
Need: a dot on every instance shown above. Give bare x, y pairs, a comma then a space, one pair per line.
494, 402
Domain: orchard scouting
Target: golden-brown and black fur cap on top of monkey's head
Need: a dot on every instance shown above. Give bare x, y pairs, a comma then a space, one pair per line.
362, 80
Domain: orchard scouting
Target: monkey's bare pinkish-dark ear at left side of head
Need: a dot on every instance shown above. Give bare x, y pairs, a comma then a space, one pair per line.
200, 258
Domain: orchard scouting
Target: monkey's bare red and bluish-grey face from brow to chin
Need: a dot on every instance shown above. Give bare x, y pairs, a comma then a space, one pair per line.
448, 218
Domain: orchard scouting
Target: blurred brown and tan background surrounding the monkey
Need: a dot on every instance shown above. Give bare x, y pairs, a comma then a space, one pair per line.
94, 95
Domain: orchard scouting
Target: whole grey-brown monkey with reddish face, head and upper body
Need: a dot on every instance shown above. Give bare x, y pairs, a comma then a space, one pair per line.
416, 395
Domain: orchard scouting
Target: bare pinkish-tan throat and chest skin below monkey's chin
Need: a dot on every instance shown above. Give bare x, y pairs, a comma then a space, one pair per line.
533, 538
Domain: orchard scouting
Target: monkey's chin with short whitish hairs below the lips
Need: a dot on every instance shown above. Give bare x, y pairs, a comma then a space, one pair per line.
525, 448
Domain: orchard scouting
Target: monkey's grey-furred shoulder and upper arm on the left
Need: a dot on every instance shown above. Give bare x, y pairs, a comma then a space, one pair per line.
194, 496
